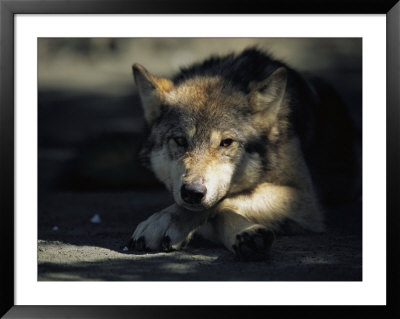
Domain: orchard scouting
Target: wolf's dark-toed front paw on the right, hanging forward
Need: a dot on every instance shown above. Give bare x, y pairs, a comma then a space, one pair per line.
253, 243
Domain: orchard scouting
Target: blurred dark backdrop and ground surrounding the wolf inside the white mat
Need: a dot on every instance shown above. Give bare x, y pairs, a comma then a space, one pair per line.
91, 128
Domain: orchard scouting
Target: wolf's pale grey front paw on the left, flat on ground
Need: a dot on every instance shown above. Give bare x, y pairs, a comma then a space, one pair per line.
159, 232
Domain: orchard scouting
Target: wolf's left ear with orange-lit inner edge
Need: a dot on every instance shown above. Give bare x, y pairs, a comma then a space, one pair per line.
152, 90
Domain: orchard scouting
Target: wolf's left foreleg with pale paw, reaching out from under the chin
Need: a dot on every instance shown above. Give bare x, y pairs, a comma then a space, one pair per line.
167, 229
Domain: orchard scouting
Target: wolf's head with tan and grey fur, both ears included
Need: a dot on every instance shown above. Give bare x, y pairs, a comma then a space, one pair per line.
208, 139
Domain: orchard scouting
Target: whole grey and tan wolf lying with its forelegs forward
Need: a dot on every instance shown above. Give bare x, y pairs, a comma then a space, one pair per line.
248, 147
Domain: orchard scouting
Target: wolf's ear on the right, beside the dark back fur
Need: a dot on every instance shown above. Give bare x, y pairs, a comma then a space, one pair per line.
267, 96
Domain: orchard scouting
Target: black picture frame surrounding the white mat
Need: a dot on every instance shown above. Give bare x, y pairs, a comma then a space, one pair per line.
8, 10
